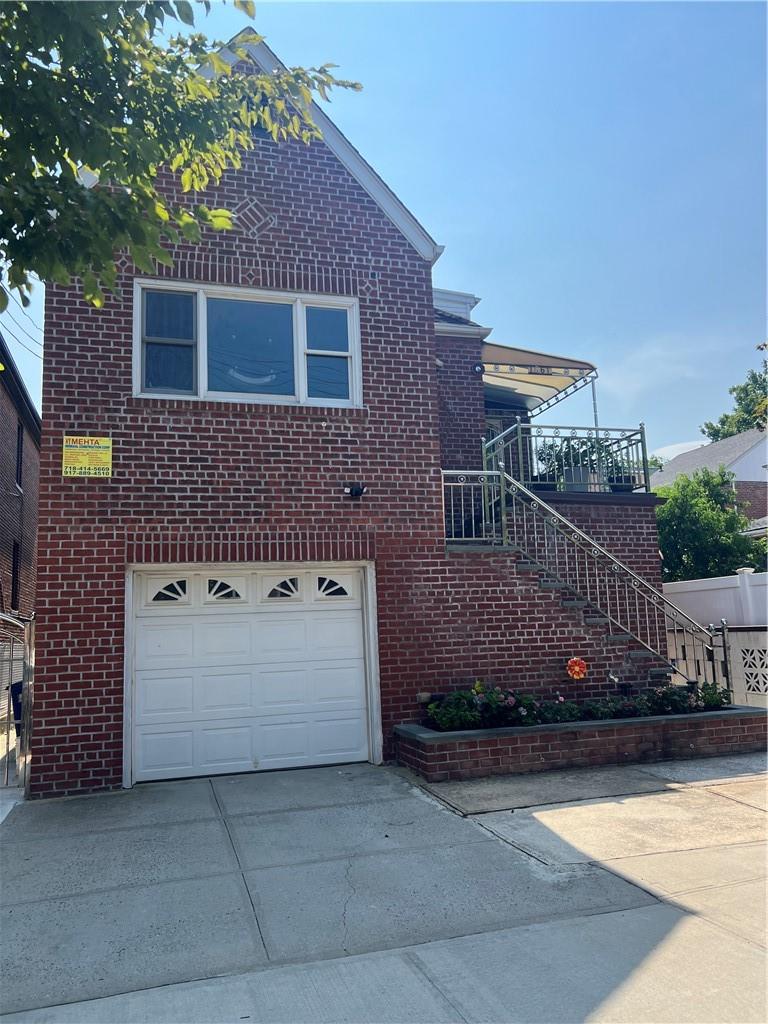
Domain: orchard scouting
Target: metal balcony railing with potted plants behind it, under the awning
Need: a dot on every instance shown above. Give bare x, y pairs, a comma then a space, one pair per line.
602, 460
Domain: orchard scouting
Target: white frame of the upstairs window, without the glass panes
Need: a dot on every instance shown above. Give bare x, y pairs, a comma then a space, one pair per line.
298, 300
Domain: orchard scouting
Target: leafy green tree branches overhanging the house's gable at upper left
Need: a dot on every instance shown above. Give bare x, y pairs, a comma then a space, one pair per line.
99, 95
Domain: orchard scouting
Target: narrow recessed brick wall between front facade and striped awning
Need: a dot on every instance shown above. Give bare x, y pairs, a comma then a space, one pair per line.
462, 407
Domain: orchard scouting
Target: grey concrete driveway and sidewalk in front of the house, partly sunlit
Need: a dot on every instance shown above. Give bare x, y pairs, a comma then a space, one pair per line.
347, 894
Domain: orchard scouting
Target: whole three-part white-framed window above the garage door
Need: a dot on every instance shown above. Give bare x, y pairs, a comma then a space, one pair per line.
239, 345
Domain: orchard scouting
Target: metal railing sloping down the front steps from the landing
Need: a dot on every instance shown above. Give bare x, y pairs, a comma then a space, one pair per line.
494, 509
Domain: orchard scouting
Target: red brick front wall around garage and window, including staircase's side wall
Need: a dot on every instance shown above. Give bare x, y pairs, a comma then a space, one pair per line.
211, 482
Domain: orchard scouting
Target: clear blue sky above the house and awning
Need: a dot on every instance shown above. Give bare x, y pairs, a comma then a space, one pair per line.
596, 173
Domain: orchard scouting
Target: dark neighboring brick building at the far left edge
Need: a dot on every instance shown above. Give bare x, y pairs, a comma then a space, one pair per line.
20, 470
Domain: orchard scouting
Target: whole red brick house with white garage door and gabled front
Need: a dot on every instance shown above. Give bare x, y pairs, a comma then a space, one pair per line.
305, 530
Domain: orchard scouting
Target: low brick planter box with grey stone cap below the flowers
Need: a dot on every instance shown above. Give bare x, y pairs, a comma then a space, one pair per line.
478, 753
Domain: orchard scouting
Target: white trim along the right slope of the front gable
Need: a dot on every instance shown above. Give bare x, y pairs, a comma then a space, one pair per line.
361, 170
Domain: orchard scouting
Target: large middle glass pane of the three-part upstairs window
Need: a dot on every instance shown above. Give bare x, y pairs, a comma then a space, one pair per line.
250, 348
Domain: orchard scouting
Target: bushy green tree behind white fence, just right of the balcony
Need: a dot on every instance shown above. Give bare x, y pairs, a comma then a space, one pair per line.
700, 529
